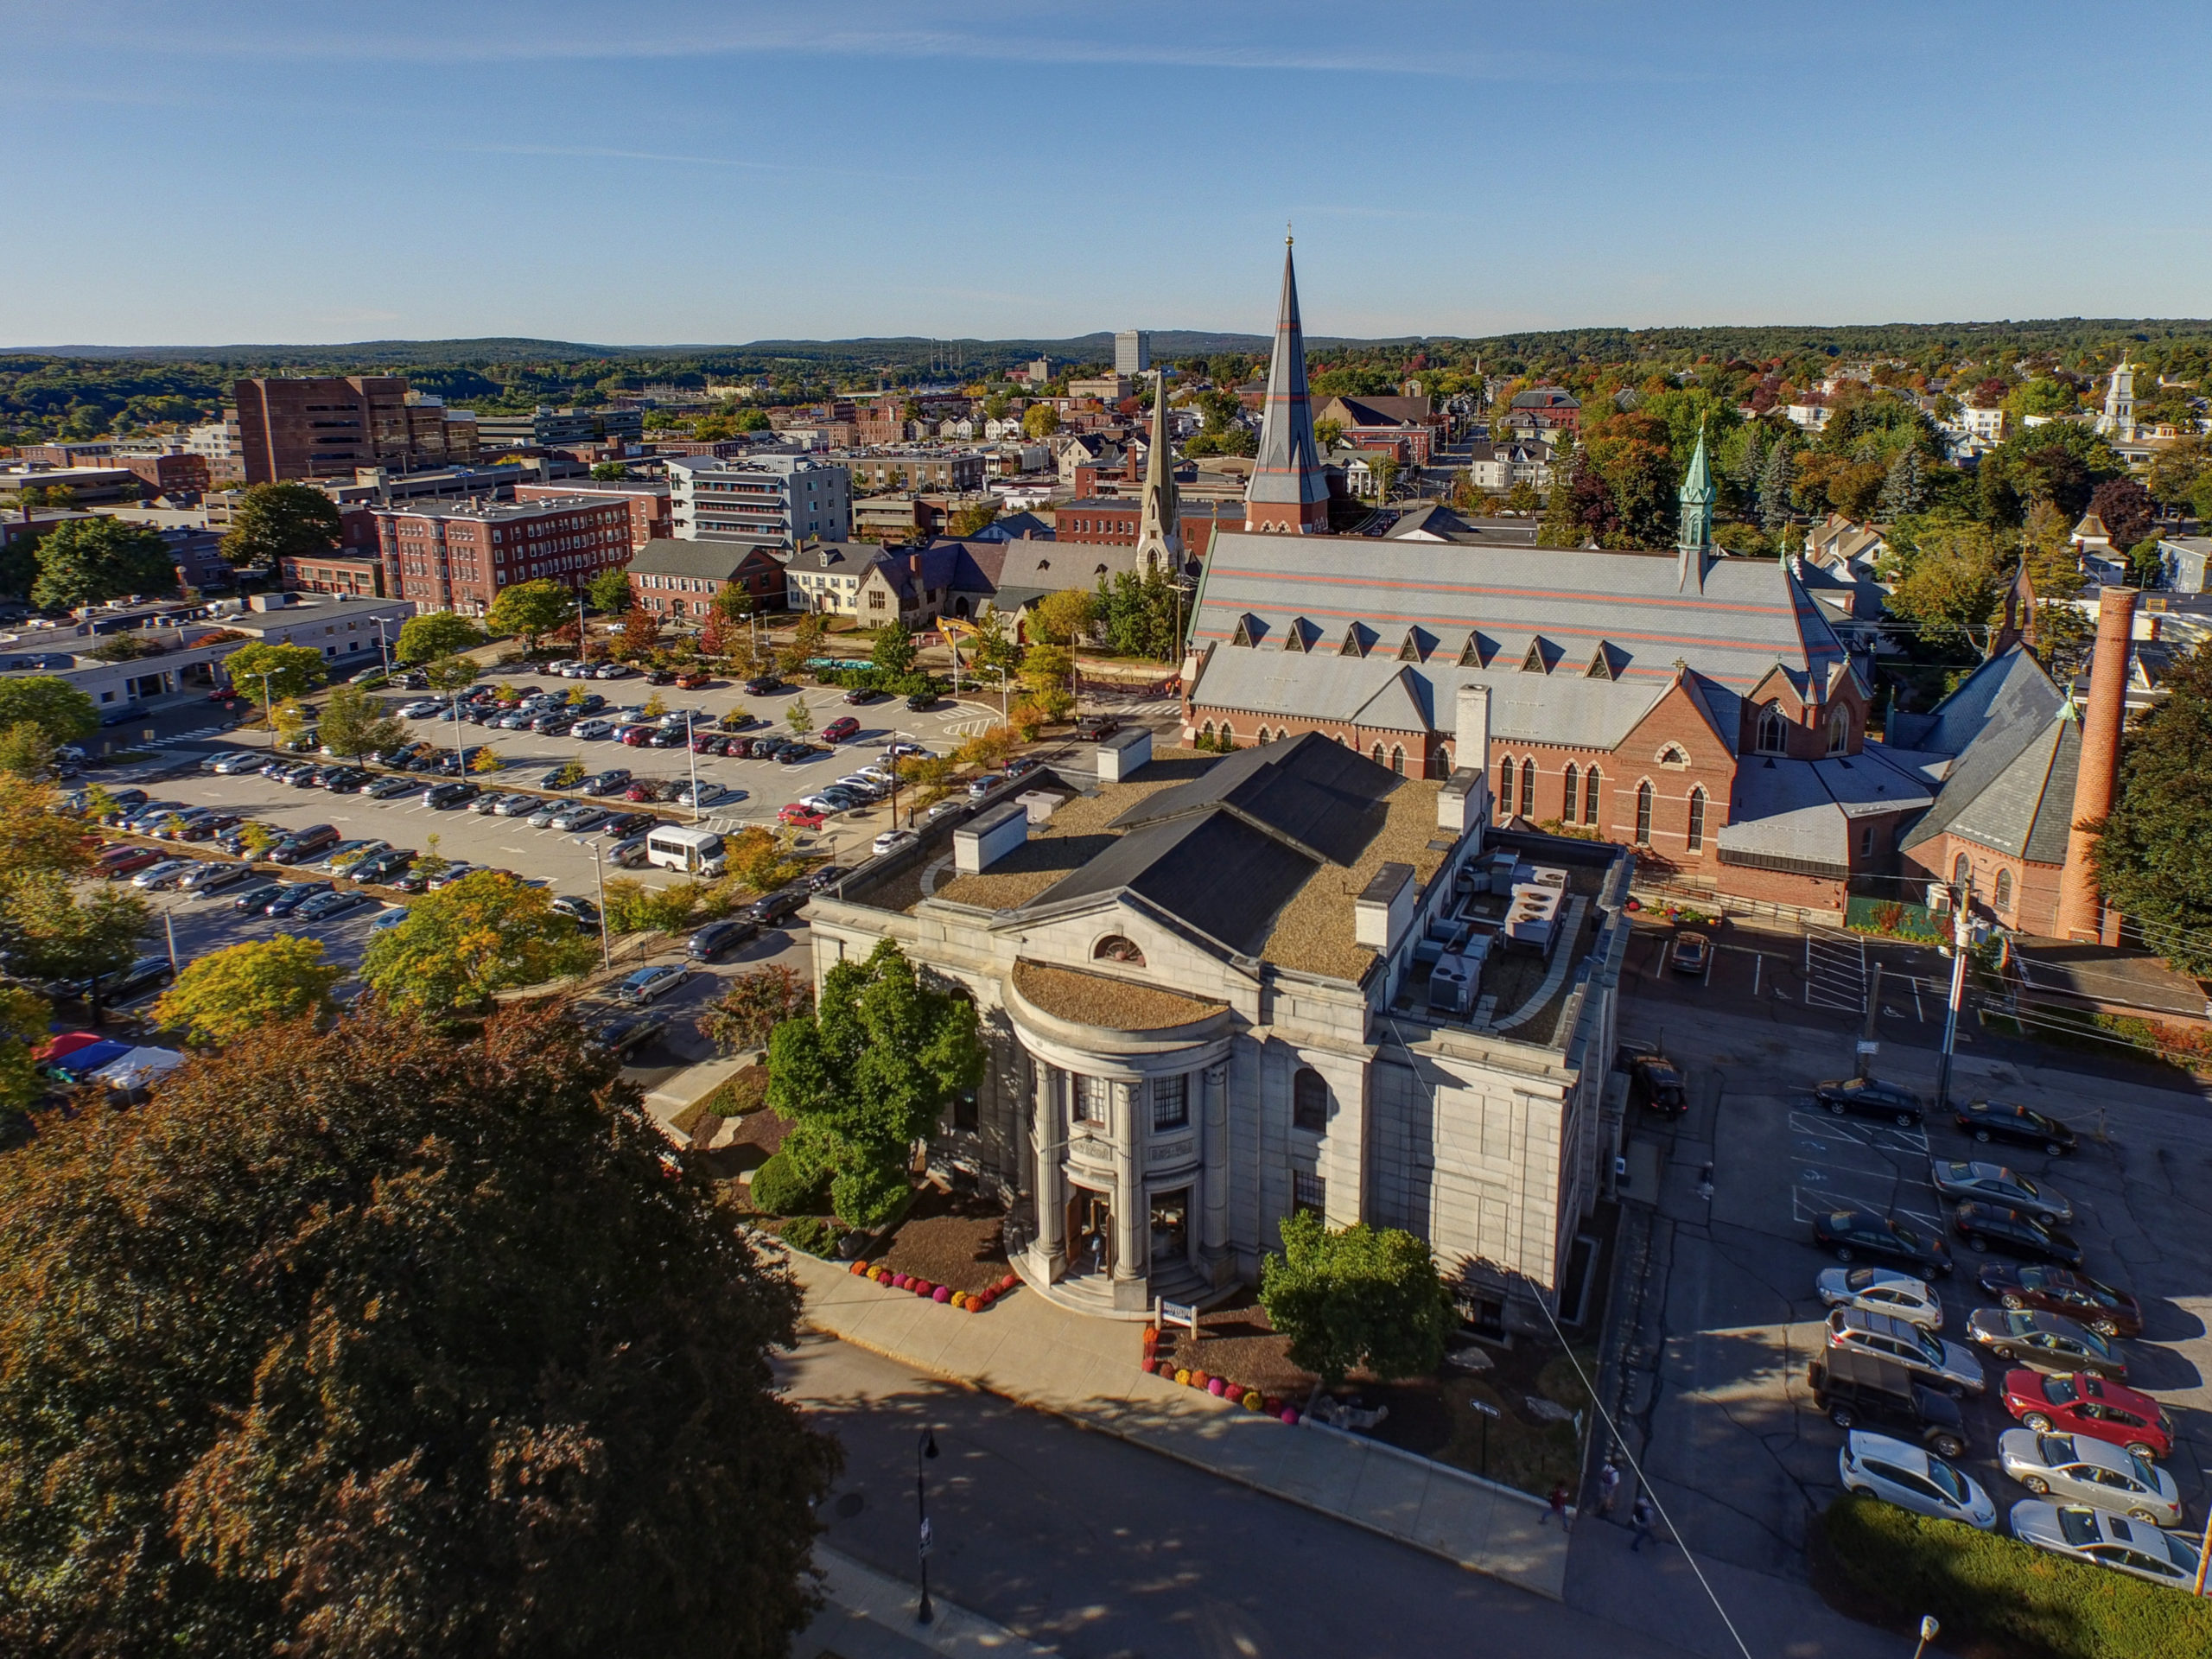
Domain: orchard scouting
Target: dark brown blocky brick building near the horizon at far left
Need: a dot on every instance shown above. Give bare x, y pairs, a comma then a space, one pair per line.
337, 424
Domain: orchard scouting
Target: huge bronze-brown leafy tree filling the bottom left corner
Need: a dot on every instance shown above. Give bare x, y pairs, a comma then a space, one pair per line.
499, 1386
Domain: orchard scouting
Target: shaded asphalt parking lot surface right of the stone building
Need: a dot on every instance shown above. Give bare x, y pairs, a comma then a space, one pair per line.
1729, 1315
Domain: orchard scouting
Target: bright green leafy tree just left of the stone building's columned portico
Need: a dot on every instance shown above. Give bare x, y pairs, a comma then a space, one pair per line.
868, 1074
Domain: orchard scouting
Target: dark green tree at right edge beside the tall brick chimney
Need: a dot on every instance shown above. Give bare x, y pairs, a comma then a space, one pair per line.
2156, 853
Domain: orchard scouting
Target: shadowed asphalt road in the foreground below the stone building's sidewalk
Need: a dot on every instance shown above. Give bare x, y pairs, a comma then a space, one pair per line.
1109, 1552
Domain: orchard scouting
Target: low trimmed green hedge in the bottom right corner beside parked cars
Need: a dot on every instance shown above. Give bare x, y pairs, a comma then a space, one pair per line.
2025, 1600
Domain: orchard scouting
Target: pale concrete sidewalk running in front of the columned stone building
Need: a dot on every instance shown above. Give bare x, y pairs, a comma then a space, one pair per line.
1087, 1370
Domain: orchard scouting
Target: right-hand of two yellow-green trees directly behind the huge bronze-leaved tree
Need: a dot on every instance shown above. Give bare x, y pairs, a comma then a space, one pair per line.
486, 932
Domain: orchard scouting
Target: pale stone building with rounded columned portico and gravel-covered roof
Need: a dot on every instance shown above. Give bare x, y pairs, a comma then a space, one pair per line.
1224, 990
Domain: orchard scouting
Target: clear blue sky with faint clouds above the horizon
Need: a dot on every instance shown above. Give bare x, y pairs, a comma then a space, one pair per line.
716, 174
